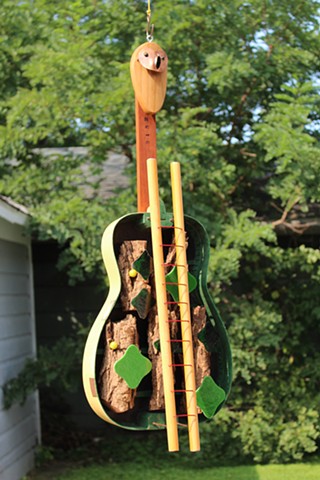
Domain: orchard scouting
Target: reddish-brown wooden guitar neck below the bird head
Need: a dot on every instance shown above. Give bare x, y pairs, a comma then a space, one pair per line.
146, 147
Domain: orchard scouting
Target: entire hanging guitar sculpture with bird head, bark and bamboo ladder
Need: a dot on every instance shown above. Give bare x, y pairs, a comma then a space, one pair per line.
158, 354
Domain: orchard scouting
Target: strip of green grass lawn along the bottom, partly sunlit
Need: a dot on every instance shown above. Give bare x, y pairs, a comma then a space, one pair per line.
160, 471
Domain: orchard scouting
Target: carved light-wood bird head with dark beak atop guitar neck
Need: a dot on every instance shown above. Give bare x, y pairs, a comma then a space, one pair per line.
148, 69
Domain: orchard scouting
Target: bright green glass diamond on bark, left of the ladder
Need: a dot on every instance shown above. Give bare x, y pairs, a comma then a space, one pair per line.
133, 366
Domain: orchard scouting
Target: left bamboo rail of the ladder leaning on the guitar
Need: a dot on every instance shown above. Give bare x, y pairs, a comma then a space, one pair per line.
161, 295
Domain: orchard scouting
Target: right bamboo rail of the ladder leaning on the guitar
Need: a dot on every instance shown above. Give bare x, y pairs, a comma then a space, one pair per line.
184, 305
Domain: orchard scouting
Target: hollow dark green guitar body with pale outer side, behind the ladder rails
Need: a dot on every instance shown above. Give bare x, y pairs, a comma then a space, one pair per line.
212, 339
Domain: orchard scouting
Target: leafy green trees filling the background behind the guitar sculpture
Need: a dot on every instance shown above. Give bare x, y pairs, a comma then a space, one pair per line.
242, 117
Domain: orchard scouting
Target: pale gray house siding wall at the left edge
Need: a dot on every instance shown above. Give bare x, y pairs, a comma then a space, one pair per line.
19, 426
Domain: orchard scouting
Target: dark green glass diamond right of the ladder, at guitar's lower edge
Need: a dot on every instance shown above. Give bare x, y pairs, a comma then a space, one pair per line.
209, 396
